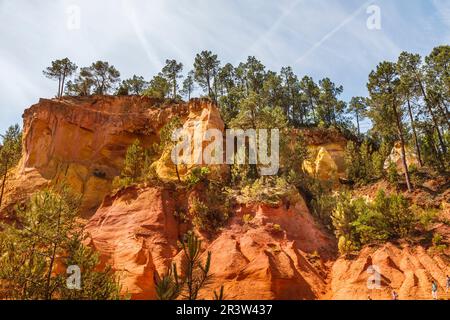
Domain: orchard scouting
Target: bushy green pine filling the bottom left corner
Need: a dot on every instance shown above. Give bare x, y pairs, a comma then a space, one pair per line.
47, 242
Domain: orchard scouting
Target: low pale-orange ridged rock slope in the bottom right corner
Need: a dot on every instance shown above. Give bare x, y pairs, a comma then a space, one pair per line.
407, 270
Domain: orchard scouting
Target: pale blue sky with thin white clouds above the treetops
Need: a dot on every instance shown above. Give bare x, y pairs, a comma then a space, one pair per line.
321, 38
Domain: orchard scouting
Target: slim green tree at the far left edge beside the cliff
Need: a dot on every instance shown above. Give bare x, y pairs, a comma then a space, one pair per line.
10, 152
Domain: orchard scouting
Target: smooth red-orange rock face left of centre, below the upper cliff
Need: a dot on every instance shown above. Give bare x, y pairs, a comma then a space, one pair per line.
136, 233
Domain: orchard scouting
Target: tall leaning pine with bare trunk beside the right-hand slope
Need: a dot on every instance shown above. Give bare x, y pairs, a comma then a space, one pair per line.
385, 107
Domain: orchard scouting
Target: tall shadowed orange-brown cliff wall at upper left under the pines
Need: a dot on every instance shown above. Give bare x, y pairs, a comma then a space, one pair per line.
83, 142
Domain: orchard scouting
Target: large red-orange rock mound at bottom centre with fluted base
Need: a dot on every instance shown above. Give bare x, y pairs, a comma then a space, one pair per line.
260, 260
